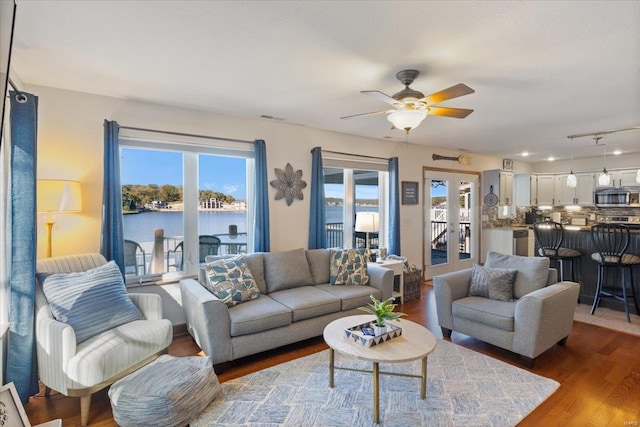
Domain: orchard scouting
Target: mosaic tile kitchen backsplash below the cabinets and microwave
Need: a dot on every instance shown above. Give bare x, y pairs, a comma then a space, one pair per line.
491, 220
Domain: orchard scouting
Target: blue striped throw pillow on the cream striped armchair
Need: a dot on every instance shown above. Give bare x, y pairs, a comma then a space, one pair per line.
91, 302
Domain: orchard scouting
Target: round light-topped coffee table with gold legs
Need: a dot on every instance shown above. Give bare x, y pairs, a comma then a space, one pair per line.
416, 342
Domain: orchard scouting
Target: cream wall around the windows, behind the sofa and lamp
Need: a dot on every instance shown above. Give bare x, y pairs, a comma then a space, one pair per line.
70, 146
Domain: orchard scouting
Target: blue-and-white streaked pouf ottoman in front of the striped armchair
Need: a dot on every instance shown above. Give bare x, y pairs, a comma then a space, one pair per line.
168, 392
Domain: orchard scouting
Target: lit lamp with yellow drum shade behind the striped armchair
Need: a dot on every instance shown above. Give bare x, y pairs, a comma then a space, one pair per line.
57, 196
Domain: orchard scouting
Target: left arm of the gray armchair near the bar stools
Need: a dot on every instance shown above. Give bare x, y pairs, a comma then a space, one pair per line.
448, 288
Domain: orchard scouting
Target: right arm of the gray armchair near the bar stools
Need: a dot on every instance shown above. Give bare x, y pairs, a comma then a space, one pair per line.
544, 317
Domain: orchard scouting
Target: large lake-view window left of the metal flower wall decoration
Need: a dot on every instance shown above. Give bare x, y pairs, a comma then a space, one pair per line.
181, 203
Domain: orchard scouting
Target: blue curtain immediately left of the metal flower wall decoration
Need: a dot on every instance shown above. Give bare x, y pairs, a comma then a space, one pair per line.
261, 239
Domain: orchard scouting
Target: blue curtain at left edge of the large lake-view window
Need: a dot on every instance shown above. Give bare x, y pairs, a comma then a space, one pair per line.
112, 237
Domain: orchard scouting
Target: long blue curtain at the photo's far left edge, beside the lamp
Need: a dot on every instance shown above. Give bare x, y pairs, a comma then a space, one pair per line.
21, 356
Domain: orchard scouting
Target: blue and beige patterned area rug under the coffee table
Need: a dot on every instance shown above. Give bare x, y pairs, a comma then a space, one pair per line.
463, 388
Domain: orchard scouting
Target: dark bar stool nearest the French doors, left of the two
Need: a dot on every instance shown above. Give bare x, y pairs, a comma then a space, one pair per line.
549, 236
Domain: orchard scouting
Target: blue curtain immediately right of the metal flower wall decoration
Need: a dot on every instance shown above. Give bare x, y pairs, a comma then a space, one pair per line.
318, 214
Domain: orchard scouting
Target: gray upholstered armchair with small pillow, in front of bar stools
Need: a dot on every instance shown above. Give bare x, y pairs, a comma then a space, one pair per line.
539, 316
